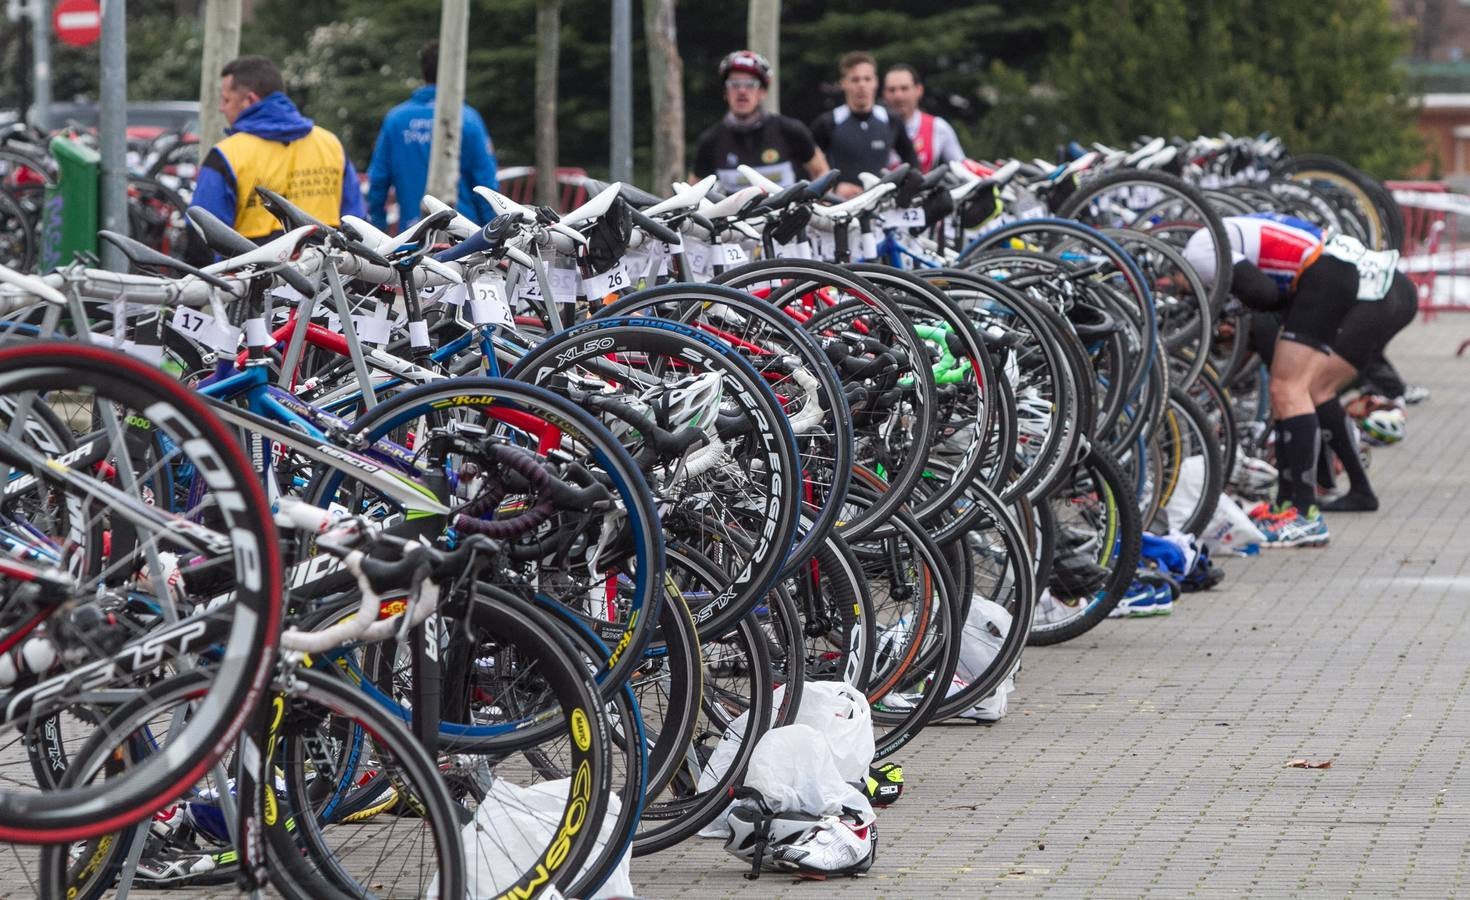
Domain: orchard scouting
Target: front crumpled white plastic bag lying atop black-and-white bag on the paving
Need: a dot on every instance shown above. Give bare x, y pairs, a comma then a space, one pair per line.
795, 771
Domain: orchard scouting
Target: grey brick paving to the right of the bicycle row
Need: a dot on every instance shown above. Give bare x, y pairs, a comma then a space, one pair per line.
1149, 758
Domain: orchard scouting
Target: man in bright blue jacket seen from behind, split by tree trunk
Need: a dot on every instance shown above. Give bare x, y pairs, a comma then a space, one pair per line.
402, 157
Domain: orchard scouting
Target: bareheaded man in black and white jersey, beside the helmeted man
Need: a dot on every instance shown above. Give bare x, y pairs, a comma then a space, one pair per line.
859, 136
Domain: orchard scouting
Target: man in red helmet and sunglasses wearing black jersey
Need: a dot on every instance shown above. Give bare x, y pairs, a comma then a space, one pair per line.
771, 145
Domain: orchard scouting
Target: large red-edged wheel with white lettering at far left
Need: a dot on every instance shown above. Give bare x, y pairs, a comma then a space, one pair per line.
161, 482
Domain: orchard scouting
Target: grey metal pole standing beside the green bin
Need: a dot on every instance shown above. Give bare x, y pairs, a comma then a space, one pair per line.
112, 127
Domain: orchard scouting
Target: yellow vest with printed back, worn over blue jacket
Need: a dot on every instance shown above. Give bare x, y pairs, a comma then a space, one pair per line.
308, 173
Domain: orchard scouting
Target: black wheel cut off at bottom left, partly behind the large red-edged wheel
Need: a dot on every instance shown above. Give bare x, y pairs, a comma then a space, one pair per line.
326, 727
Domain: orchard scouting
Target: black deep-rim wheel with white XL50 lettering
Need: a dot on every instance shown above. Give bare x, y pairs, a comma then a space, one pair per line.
740, 490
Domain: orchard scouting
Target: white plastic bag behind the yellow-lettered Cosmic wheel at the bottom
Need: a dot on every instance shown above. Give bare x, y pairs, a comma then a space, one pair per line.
512, 826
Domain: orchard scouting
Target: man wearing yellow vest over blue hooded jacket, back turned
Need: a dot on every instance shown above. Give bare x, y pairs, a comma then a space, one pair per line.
273, 145
